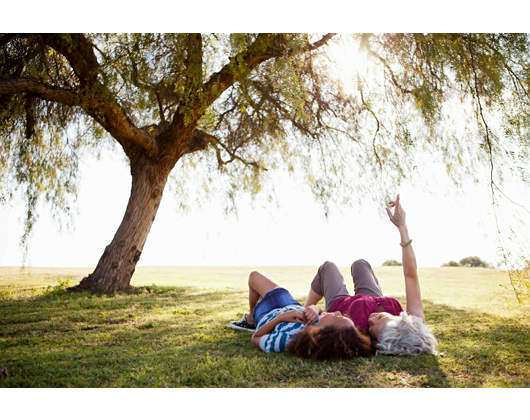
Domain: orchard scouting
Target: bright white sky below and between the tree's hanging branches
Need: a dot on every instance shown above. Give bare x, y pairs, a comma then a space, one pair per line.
445, 224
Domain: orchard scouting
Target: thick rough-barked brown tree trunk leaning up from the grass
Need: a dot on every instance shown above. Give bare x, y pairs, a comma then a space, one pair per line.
118, 263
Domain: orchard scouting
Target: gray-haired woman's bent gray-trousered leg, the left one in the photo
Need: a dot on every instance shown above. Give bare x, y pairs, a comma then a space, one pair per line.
328, 283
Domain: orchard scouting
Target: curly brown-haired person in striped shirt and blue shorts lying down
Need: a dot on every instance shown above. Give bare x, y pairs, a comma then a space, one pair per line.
281, 323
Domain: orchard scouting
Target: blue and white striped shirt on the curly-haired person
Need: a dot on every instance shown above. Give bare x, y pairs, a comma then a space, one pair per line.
283, 333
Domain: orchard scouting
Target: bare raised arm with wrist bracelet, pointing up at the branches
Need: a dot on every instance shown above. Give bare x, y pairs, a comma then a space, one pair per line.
410, 269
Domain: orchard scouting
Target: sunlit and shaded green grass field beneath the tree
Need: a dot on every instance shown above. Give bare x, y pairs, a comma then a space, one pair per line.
176, 334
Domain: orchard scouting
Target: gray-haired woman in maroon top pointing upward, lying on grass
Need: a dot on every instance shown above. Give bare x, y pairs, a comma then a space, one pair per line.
393, 330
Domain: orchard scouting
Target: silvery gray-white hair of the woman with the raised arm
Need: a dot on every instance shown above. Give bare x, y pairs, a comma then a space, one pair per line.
407, 336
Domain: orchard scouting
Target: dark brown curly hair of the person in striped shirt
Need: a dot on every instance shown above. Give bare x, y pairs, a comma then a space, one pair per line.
330, 343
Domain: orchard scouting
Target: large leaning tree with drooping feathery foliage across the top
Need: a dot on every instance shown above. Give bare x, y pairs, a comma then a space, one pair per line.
247, 103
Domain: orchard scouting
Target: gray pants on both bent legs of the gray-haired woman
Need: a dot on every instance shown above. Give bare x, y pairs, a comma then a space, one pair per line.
329, 282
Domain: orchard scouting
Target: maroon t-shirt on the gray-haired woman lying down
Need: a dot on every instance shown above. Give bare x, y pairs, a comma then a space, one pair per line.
359, 308
